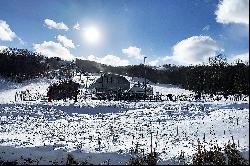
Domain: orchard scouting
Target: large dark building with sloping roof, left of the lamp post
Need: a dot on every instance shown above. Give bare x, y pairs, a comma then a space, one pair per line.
110, 82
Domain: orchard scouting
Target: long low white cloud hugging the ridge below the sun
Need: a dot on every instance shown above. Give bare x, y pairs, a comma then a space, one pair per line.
109, 60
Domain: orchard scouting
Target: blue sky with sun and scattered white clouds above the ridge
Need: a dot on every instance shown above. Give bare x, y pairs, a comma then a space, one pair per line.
123, 32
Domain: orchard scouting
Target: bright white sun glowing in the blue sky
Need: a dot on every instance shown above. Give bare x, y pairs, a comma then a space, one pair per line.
92, 35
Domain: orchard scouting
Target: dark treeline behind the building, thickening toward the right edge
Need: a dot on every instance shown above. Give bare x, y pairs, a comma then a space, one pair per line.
217, 77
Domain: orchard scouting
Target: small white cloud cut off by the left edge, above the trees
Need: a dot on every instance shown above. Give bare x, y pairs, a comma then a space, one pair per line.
6, 34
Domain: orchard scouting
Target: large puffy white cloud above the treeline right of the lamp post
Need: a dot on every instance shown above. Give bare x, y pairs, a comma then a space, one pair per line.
193, 50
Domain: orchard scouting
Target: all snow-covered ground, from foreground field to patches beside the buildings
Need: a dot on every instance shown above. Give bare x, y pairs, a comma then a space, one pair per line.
47, 132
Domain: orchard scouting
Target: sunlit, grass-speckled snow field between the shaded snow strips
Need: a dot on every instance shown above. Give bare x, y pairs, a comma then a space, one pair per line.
41, 126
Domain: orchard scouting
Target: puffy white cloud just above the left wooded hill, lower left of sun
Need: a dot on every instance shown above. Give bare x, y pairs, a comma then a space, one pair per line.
52, 49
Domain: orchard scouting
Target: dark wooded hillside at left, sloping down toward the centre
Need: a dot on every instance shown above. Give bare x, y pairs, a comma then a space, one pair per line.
21, 64
